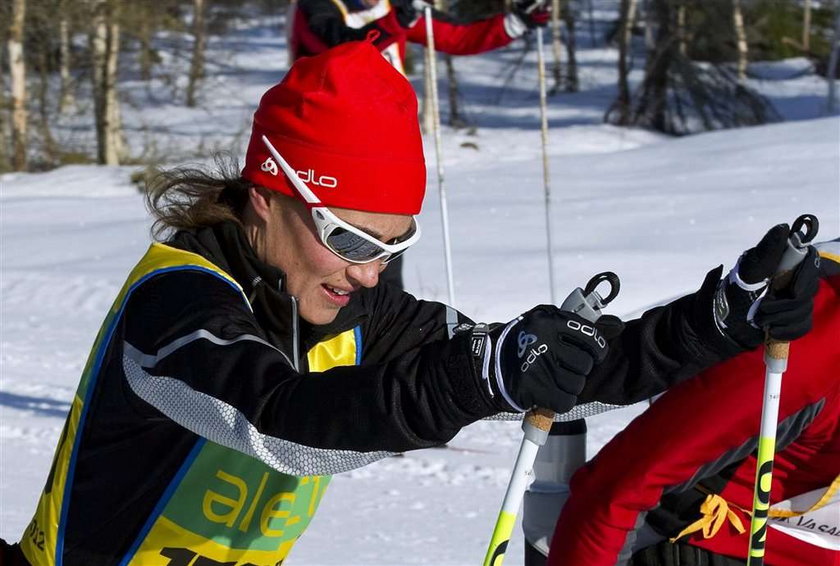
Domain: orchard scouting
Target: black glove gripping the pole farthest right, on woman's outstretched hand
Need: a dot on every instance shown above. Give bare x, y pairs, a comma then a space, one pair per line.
745, 307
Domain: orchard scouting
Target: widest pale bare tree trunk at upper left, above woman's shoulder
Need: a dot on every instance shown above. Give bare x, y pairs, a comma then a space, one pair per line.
105, 54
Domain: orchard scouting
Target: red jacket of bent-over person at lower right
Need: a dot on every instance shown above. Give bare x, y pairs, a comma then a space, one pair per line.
695, 447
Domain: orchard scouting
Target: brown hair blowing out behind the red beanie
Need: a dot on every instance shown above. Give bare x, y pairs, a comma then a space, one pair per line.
188, 198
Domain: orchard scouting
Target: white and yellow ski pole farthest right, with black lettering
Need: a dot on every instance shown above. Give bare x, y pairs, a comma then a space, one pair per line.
776, 354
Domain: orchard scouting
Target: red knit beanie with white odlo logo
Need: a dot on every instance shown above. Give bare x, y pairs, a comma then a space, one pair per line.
346, 121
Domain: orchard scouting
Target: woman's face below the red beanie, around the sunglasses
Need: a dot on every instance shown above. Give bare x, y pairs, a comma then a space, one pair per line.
322, 282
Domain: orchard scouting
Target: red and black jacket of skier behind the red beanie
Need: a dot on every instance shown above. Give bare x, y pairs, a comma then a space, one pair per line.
318, 25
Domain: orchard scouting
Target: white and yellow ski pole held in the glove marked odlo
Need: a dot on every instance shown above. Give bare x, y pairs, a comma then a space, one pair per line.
588, 304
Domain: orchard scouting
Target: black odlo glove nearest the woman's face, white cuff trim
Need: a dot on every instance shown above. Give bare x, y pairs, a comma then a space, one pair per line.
540, 359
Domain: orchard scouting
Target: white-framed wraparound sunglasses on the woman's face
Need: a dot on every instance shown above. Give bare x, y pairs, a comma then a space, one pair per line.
343, 239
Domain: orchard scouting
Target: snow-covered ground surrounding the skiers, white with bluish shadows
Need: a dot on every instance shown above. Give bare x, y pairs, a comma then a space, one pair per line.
658, 211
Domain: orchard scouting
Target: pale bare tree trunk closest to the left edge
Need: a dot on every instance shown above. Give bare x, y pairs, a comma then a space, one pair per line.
17, 77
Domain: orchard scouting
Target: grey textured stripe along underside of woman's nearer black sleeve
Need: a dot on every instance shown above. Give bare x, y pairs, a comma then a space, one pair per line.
223, 424
